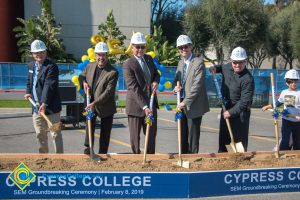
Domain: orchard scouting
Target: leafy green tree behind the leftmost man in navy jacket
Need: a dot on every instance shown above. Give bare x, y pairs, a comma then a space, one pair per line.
42, 27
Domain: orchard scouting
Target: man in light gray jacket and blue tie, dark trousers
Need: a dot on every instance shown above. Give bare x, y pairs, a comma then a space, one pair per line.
194, 102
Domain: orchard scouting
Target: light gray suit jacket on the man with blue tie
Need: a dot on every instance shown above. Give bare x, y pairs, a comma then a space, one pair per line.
195, 99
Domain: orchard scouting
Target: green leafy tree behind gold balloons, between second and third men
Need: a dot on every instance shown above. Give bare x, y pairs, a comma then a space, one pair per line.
109, 30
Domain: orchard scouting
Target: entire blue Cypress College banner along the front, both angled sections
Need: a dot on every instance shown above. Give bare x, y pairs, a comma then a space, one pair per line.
151, 185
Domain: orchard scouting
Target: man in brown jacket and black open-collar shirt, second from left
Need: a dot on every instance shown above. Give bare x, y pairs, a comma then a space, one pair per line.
101, 78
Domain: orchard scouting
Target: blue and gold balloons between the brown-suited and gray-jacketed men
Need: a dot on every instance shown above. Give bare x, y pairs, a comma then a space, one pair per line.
163, 84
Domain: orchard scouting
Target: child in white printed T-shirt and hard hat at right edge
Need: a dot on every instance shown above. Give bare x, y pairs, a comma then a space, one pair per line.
290, 99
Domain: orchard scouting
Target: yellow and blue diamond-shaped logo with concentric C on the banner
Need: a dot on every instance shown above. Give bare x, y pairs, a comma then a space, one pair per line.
22, 176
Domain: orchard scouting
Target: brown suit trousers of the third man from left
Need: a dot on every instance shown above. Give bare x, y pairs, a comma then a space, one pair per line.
135, 125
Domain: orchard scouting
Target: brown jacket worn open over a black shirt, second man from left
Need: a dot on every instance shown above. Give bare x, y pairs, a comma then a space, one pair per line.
104, 97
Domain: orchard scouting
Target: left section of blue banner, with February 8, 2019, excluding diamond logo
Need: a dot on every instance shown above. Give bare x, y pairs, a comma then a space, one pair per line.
97, 185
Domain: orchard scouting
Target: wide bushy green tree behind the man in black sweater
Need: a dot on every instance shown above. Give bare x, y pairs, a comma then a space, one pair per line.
226, 24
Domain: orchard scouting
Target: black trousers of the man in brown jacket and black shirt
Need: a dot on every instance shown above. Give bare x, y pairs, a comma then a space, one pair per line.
105, 130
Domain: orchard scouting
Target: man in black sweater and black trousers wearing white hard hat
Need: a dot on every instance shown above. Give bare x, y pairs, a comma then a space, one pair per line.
237, 92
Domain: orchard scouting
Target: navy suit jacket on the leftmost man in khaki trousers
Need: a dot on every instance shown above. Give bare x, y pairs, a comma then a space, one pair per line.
47, 85
